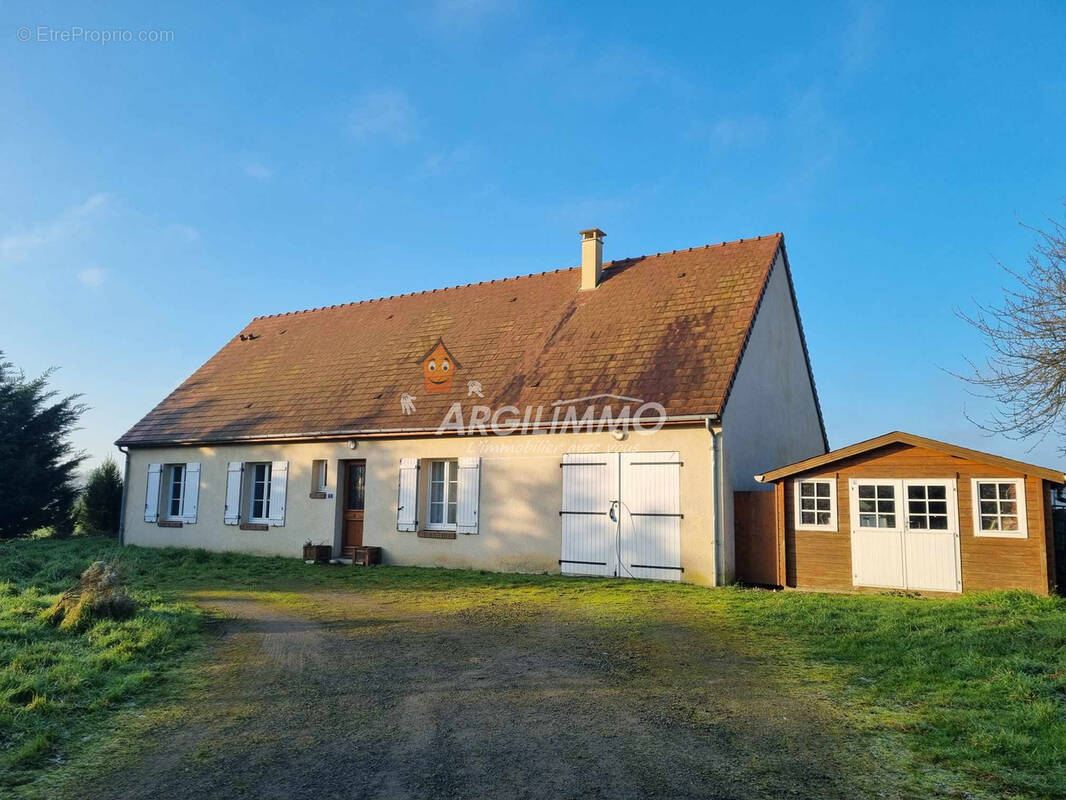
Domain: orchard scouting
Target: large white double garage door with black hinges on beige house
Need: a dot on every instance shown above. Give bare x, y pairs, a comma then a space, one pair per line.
622, 516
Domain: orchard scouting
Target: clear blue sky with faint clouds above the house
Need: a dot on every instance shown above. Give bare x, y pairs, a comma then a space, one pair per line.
155, 197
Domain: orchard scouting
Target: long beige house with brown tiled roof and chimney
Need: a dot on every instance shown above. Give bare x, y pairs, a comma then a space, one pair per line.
593, 421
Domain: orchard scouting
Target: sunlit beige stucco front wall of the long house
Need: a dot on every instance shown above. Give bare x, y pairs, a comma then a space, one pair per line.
521, 497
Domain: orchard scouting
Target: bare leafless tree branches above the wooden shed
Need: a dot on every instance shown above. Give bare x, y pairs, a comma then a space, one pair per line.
1026, 372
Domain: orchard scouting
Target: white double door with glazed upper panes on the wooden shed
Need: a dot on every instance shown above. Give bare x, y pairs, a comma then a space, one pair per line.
906, 534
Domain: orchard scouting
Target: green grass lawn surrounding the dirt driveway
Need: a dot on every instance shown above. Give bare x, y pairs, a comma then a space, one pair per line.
974, 687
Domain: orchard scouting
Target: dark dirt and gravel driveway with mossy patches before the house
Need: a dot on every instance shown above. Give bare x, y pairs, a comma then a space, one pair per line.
365, 699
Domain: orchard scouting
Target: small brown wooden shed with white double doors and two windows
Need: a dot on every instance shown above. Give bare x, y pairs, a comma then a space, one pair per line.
906, 513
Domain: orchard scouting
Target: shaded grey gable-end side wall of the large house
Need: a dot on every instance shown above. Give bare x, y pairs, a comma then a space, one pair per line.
771, 418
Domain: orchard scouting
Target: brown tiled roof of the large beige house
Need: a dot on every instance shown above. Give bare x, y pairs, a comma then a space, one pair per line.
669, 328
